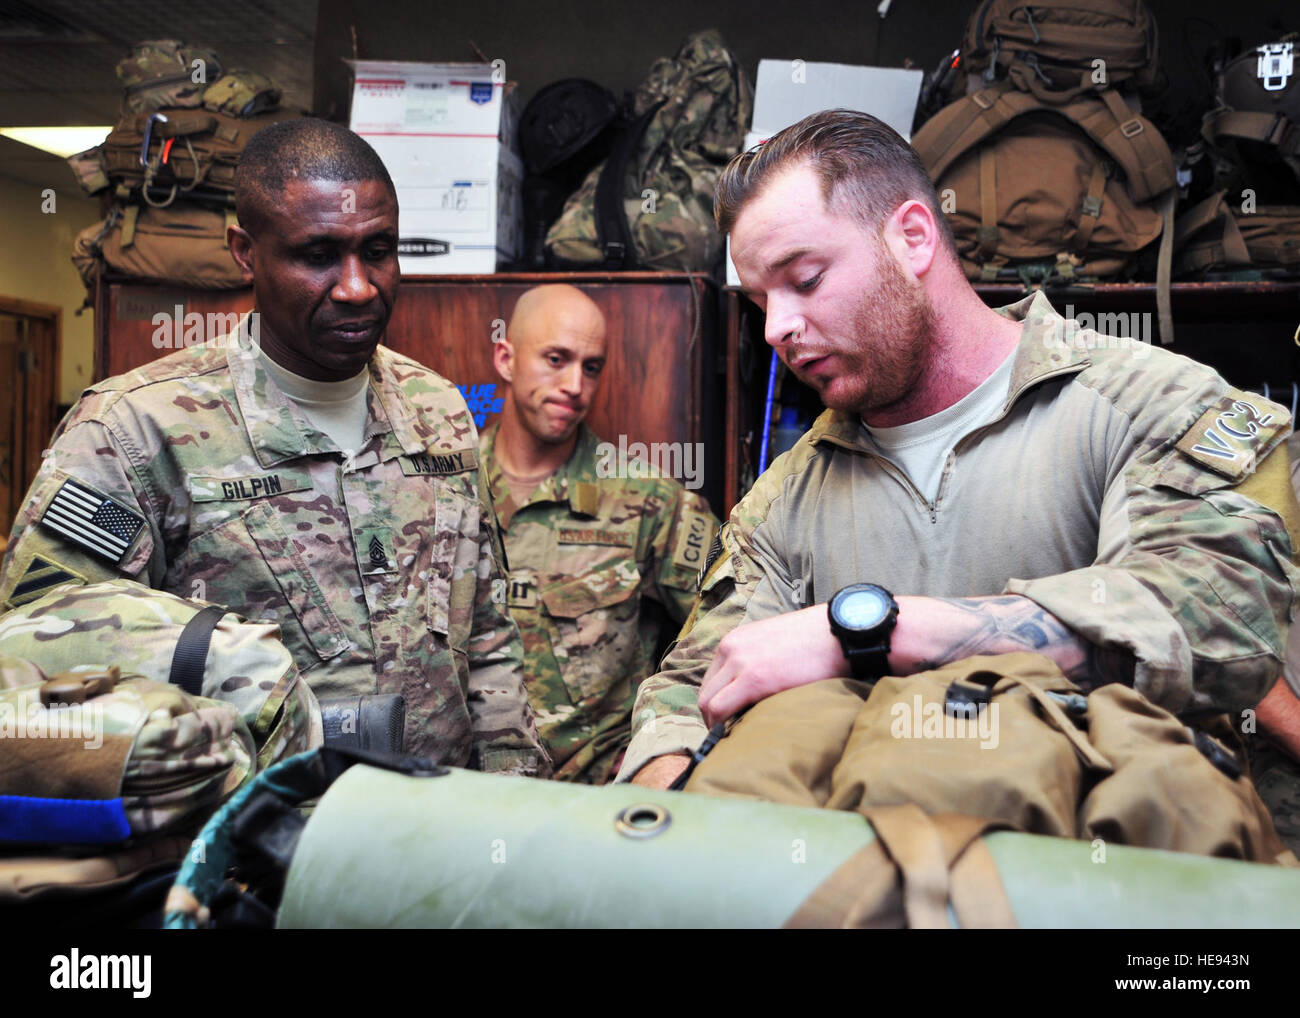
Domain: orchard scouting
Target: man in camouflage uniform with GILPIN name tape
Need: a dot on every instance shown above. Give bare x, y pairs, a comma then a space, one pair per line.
198, 475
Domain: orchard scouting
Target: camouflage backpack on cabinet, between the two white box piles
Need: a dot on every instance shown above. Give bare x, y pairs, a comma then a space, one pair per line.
651, 205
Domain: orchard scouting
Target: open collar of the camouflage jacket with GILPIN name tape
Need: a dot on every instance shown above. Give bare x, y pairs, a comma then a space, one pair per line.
279, 431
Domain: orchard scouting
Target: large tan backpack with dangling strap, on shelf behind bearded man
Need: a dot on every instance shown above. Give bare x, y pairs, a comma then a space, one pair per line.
1041, 190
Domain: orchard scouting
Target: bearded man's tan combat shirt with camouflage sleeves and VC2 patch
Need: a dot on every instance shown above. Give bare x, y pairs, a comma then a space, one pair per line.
1129, 491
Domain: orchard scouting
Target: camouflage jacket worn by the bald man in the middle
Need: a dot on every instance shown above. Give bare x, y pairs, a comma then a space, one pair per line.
586, 553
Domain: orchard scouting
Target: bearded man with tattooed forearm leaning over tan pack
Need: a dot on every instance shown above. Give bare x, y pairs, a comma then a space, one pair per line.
1116, 508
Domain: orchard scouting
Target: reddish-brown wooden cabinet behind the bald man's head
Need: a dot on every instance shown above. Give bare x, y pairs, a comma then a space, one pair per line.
662, 382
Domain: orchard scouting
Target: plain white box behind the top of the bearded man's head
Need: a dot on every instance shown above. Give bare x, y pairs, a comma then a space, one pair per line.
791, 90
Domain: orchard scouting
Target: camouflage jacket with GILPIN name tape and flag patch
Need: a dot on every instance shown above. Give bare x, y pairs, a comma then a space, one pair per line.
198, 476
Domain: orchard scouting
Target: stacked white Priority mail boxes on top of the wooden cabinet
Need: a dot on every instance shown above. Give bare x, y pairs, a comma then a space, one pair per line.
447, 133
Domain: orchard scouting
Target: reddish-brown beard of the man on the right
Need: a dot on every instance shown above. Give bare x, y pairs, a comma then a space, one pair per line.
892, 328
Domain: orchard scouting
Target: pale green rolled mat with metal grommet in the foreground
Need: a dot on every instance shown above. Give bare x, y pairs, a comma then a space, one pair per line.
467, 850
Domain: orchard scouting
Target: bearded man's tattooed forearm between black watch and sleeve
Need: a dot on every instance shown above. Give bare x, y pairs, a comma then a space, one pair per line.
1008, 623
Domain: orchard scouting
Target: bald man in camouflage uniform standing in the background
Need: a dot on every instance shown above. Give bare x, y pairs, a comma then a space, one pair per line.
597, 561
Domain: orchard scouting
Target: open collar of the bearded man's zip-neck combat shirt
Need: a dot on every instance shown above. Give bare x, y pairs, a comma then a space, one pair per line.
1046, 352
